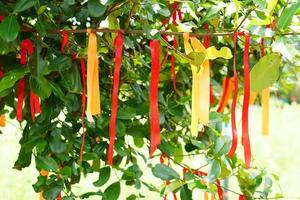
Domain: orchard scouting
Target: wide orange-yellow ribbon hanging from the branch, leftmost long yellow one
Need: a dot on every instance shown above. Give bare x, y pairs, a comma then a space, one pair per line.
93, 90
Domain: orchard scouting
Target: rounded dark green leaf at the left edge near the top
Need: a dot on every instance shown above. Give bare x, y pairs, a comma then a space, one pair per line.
9, 28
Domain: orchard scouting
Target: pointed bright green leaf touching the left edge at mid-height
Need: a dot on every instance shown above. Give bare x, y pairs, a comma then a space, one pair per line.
10, 78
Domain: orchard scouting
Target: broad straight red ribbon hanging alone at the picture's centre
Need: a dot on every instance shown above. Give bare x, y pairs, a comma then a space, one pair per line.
154, 112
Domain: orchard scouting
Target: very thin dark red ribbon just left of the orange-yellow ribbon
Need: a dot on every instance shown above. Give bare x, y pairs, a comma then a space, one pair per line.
83, 102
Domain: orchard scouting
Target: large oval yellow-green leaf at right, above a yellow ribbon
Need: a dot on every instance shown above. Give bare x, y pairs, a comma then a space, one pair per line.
265, 72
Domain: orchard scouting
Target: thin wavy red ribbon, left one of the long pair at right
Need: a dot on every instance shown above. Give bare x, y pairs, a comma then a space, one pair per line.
234, 101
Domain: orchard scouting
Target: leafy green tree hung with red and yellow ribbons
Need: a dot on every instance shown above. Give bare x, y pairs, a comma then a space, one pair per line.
53, 78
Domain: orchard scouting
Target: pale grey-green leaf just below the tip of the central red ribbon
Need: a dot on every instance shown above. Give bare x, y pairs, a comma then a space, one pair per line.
164, 172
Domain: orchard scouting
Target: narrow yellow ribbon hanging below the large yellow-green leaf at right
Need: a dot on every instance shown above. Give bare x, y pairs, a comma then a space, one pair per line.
265, 97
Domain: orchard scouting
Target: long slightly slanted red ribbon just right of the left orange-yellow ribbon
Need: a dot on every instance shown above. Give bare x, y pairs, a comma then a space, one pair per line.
114, 105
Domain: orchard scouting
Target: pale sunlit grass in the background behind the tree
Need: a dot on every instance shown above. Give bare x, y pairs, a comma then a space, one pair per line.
278, 153
